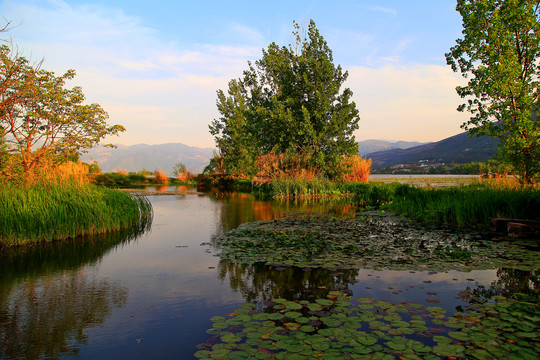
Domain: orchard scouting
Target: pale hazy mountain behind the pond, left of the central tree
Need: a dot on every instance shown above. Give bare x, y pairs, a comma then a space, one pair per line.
150, 157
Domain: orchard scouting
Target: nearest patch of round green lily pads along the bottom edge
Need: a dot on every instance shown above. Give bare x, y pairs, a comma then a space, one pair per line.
338, 327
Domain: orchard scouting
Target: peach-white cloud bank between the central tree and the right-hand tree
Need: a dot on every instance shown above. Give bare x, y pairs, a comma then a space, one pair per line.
416, 102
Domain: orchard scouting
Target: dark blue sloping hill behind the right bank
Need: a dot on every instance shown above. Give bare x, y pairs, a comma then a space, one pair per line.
455, 149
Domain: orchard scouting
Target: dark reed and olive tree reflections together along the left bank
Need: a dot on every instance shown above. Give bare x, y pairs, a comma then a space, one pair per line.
47, 299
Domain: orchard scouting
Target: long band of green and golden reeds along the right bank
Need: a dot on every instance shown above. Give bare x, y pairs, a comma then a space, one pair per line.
457, 201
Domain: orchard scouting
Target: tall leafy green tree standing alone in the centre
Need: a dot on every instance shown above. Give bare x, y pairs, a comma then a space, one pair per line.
288, 103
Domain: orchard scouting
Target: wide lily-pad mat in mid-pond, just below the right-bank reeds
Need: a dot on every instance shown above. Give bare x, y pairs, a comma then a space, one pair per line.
367, 242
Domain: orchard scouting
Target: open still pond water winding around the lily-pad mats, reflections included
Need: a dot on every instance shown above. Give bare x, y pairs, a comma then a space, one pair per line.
150, 294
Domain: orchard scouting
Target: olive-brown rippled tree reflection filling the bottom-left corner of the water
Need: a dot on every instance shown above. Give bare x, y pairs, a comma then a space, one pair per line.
47, 317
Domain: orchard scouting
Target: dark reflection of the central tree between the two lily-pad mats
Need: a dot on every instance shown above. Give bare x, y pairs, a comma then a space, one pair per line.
260, 283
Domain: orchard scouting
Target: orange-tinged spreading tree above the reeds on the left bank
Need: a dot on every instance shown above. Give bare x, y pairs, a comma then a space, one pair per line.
41, 118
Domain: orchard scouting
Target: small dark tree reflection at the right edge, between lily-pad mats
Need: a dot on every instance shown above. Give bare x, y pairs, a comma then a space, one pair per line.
510, 281
